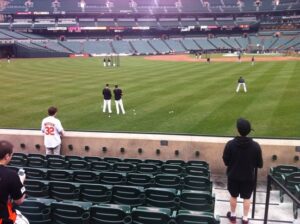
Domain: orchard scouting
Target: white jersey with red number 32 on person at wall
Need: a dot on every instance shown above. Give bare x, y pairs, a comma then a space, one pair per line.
51, 127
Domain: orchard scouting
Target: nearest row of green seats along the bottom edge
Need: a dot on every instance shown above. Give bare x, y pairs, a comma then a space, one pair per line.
48, 211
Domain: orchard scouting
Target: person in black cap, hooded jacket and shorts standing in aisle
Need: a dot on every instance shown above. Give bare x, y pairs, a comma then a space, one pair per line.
242, 156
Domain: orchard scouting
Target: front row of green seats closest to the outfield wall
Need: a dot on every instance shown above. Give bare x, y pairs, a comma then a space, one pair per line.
113, 159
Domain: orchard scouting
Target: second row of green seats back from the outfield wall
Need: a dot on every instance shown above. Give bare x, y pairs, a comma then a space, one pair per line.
125, 167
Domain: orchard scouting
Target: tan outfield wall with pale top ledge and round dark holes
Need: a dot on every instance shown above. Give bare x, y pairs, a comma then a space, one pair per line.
181, 147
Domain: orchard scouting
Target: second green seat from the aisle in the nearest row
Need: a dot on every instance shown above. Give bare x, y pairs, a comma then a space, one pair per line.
151, 215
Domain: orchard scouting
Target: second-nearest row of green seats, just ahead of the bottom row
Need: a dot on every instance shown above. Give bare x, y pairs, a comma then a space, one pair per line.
118, 194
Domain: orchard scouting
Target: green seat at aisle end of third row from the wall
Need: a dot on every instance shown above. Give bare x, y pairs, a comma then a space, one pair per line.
197, 183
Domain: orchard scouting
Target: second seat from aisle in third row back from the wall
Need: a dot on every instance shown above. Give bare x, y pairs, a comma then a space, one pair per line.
168, 180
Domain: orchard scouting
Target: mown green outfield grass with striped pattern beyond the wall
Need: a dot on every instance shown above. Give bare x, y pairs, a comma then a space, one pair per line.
201, 96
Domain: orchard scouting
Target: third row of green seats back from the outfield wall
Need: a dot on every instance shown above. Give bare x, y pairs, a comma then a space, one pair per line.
115, 178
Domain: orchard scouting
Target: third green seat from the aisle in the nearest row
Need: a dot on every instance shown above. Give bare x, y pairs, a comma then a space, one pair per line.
110, 214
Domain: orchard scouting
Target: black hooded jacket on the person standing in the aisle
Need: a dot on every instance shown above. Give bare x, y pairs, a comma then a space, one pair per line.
241, 156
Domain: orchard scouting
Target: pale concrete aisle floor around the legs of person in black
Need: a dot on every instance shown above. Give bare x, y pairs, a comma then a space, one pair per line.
278, 212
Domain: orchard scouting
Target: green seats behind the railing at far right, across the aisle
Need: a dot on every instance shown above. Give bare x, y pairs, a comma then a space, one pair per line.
289, 176
